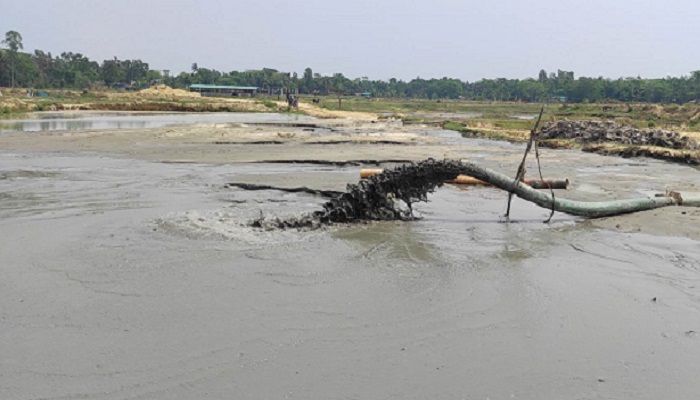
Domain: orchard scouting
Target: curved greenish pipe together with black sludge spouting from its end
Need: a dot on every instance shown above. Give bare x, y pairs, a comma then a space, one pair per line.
374, 198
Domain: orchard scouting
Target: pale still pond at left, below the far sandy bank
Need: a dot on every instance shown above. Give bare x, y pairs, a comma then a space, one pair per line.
44, 122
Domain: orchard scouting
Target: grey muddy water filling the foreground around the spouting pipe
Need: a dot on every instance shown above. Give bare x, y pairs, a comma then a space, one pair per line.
130, 279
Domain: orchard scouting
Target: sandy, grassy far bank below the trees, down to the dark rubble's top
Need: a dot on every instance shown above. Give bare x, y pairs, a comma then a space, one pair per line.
513, 116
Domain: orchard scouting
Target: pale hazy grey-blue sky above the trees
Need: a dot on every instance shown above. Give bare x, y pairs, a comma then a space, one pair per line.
379, 39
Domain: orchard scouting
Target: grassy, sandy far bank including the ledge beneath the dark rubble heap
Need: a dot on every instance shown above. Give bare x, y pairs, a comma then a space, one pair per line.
489, 120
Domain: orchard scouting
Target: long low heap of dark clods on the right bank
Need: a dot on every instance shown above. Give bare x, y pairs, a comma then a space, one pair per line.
608, 131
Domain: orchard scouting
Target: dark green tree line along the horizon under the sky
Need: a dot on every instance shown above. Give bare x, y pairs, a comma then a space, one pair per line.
76, 71
